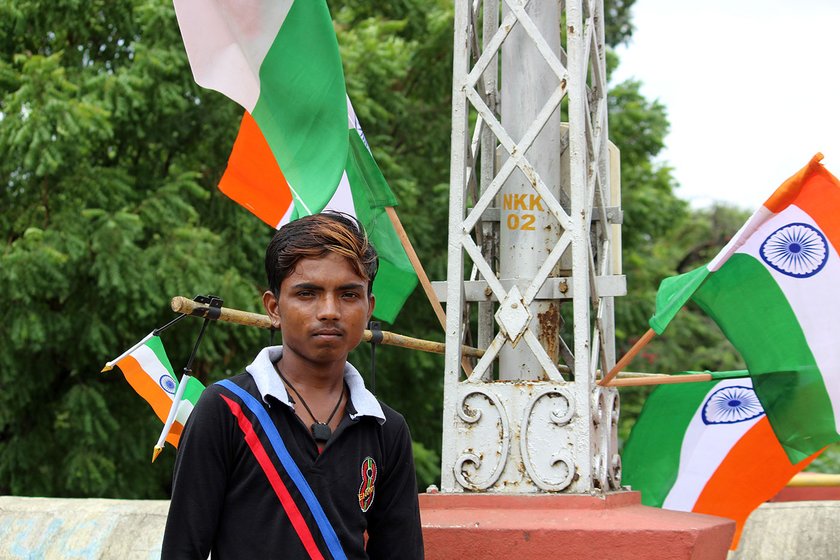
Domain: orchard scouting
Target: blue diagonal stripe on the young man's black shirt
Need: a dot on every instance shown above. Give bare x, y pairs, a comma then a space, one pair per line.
327, 530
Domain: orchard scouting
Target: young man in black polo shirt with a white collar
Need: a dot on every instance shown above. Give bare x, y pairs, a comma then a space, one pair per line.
295, 458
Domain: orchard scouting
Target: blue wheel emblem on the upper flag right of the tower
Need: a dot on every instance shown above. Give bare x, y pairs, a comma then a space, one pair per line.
797, 250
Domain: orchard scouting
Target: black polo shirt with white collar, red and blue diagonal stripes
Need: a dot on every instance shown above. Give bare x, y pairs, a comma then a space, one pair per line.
230, 485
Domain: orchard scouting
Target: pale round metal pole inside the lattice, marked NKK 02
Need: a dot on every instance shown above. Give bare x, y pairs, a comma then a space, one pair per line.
527, 231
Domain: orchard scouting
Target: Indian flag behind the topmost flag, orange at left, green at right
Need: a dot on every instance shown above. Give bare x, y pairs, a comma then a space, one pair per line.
254, 179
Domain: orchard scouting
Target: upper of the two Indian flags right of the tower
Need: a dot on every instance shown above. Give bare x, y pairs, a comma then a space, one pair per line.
774, 290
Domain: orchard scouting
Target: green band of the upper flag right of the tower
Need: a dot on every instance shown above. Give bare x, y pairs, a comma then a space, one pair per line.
785, 374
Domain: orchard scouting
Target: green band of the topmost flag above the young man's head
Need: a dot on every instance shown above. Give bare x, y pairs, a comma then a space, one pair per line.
302, 108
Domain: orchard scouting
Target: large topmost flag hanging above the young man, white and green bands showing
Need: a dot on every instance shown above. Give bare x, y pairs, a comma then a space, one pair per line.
279, 60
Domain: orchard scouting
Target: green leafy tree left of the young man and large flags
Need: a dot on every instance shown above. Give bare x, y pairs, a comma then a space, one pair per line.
110, 208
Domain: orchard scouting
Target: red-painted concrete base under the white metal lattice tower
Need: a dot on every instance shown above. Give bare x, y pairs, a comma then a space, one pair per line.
616, 526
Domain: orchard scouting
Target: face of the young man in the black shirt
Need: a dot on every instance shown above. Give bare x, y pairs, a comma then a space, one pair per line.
322, 310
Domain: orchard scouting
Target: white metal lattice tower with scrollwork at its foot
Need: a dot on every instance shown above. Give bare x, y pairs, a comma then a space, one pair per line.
533, 206
